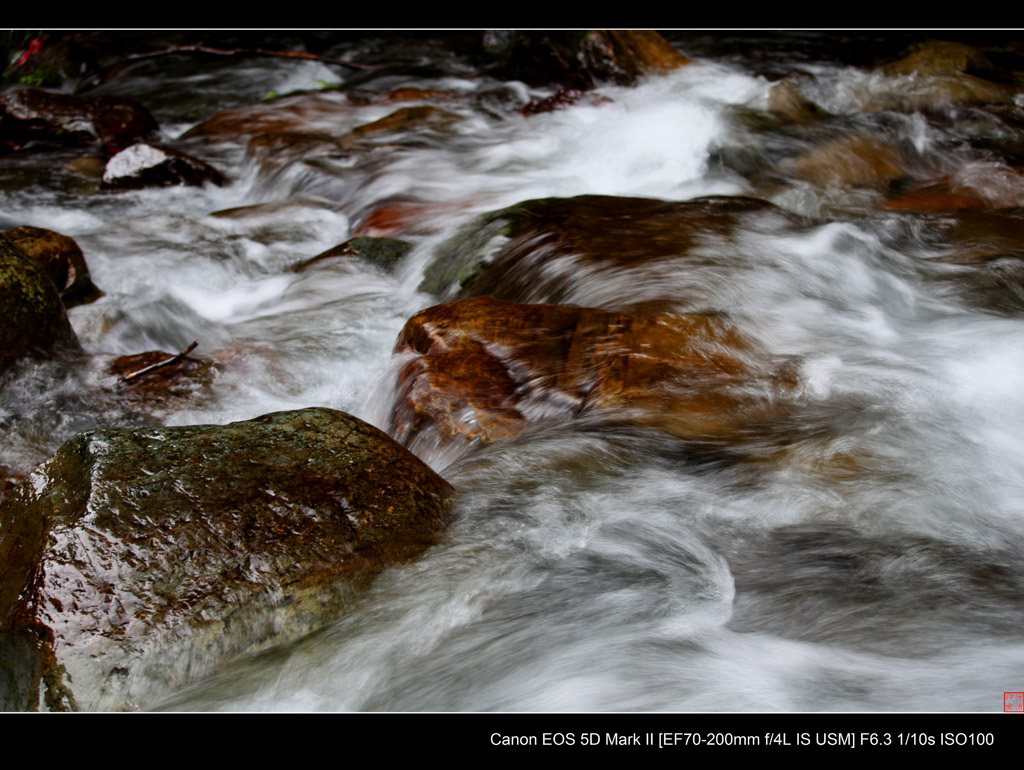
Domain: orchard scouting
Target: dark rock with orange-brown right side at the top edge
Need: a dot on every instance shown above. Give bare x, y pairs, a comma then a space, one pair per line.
585, 60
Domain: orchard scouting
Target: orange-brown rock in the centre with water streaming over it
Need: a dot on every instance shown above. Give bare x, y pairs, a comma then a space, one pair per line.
487, 370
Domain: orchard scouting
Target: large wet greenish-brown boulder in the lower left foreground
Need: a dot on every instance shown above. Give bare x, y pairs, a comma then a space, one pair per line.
136, 562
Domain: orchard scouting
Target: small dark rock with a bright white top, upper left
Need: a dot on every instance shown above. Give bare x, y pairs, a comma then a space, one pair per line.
151, 166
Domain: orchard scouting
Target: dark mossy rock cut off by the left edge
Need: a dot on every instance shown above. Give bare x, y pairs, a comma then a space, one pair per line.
35, 322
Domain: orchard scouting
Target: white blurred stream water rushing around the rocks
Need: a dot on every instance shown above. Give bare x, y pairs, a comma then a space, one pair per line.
588, 568
